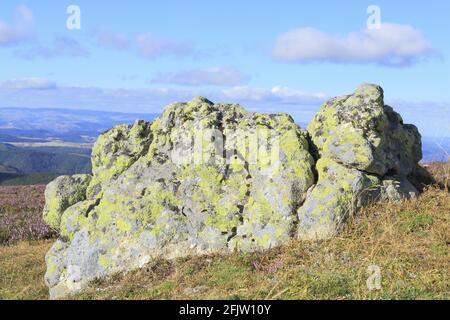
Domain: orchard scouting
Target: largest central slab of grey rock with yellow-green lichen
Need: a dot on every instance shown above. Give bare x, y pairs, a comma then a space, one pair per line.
201, 178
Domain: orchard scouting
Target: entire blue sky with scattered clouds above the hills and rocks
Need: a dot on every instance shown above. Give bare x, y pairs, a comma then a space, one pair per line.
271, 56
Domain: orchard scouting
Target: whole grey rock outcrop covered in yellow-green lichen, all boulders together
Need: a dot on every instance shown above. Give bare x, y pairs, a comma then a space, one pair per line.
210, 177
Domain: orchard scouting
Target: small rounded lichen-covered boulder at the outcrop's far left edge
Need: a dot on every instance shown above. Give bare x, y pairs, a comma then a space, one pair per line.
61, 194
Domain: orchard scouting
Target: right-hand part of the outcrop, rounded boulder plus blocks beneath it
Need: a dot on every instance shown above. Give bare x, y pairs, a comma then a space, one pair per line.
360, 142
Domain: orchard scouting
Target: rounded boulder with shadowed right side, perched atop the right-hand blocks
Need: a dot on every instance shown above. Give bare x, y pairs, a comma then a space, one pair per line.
360, 132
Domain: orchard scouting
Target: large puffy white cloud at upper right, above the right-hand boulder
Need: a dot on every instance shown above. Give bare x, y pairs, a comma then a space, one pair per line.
391, 45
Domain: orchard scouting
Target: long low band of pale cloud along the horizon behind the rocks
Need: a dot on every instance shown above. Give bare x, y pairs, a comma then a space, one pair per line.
431, 117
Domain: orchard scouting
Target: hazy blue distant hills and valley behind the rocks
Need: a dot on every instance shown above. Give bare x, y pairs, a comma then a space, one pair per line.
38, 144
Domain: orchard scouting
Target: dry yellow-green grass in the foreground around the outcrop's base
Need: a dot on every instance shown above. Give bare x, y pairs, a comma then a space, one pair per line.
408, 243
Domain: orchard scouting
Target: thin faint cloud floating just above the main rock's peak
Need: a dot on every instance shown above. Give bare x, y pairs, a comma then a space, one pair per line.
216, 76
